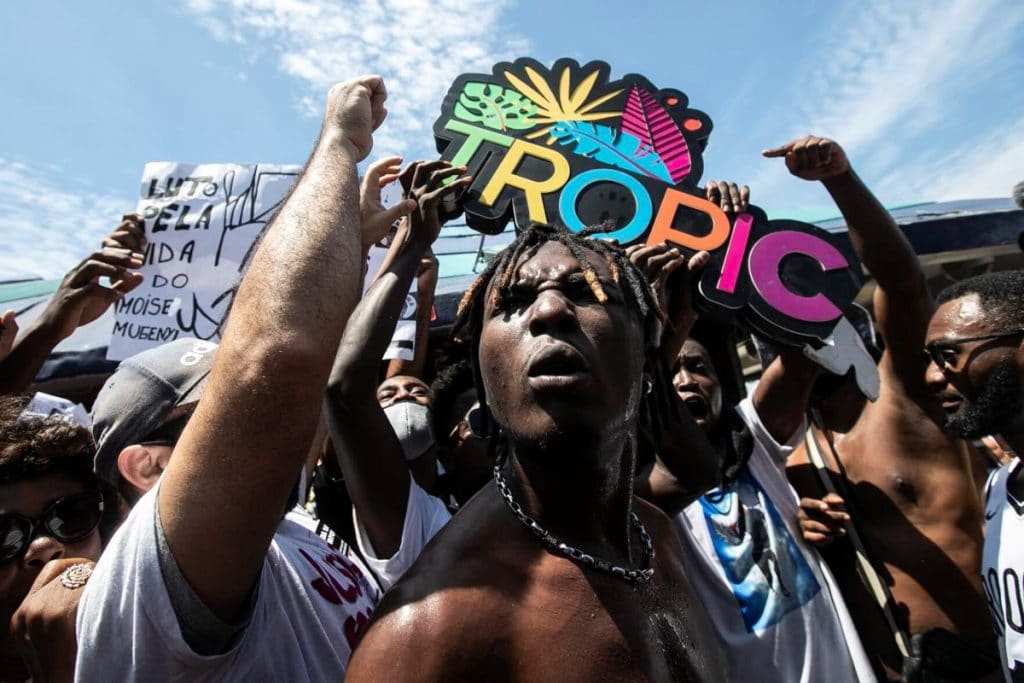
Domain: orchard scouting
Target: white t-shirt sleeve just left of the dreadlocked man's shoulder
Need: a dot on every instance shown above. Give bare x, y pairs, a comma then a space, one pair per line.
425, 516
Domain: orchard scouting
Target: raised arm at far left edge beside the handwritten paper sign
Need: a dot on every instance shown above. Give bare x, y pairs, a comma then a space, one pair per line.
79, 301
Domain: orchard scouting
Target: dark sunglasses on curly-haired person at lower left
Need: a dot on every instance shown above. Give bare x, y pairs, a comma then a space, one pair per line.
68, 520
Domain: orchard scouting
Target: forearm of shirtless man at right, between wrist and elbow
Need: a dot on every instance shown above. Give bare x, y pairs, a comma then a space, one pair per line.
879, 243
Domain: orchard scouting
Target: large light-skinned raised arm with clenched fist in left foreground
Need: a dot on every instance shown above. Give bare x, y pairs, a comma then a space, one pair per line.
227, 486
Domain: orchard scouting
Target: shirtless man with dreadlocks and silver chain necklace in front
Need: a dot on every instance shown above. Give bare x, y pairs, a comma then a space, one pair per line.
556, 571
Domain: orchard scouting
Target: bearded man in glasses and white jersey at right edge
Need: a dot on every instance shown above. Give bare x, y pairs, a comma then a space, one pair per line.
975, 348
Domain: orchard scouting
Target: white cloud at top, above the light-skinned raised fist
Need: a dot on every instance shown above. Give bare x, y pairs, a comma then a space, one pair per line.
418, 47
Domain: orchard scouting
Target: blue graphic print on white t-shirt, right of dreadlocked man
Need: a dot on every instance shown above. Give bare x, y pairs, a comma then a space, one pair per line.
767, 572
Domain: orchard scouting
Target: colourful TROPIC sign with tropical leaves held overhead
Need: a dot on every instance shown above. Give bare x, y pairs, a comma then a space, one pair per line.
570, 147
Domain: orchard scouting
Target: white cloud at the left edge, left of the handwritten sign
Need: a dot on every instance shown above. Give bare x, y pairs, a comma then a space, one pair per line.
48, 228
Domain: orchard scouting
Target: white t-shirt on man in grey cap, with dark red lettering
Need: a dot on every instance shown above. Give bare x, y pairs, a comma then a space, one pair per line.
312, 604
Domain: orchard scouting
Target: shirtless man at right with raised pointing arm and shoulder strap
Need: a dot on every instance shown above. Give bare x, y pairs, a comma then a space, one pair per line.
912, 491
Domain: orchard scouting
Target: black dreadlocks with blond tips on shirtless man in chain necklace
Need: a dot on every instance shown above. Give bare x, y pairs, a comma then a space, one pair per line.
502, 272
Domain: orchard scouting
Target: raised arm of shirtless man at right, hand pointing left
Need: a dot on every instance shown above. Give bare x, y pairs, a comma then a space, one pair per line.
903, 304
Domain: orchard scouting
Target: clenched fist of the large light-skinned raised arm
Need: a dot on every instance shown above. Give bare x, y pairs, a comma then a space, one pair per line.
356, 109
